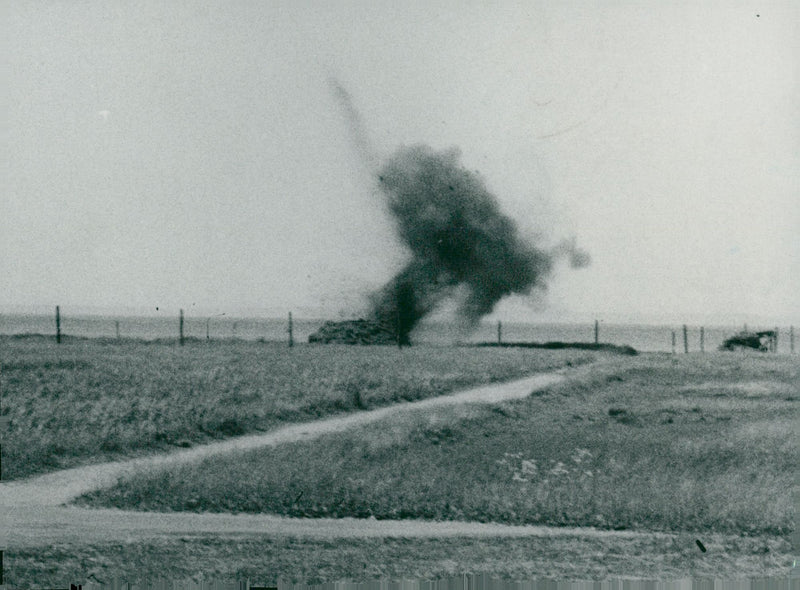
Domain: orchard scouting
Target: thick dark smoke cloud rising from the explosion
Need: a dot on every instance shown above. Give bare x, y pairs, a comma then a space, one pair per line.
457, 236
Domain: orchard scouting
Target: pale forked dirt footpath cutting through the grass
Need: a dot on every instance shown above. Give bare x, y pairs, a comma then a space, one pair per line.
33, 511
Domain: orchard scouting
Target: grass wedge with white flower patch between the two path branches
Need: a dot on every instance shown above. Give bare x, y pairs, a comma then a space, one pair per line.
696, 443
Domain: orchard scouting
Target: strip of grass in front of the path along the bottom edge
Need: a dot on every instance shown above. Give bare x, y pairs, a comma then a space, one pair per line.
266, 560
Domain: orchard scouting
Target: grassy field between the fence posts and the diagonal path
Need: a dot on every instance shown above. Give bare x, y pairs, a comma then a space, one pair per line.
92, 400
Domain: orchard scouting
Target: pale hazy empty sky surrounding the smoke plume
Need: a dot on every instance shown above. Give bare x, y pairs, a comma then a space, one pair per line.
193, 154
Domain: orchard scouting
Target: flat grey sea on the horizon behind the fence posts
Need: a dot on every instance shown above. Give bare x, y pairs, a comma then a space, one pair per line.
641, 337
